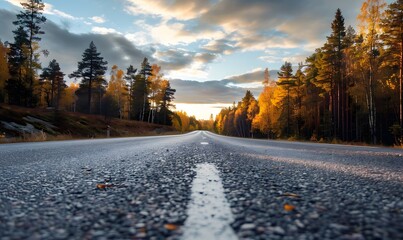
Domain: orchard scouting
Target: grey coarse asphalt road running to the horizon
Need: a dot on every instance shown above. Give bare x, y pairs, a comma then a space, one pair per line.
161, 187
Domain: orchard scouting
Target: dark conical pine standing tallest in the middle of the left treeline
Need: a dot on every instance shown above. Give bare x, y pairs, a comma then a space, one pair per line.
91, 70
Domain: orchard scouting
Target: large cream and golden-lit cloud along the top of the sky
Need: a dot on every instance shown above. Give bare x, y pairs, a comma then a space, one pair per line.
243, 25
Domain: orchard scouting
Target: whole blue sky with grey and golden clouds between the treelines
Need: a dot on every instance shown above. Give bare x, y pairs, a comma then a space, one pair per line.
212, 51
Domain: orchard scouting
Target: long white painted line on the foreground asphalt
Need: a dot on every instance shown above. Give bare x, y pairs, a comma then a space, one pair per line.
209, 213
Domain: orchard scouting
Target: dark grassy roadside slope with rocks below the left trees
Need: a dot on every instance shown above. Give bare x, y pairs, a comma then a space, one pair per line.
28, 124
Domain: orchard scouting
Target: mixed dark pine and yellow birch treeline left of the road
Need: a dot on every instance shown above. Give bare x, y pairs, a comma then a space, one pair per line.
142, 95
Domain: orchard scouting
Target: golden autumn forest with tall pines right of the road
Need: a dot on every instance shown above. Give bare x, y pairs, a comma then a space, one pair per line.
348, 90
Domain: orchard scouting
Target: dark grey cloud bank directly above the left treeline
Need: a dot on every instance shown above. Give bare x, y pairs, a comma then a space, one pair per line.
67, 47
